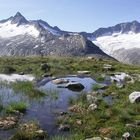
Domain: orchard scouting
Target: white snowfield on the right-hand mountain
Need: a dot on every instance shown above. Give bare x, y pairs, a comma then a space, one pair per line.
116, 41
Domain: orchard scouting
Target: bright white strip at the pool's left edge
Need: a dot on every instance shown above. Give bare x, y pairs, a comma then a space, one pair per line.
16, 77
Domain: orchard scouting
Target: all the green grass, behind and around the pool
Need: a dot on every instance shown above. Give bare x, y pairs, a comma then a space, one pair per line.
112, 118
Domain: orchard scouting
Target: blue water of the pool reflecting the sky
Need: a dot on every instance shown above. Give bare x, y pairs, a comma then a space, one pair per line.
46, 111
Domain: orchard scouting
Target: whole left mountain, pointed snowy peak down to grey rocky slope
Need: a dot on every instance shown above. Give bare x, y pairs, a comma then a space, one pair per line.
20, 37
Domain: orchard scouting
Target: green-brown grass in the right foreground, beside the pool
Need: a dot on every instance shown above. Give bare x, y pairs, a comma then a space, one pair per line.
108, 120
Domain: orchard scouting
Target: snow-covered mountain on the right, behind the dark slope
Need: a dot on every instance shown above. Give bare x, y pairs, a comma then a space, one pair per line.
121, 41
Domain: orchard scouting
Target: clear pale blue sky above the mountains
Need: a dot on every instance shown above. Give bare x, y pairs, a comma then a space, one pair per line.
74, 15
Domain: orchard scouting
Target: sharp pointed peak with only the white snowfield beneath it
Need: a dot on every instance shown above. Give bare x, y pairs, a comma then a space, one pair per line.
17, 25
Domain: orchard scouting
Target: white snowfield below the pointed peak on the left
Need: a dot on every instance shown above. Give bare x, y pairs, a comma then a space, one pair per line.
9, 30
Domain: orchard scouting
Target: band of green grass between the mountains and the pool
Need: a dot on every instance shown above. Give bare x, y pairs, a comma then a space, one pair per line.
60, 65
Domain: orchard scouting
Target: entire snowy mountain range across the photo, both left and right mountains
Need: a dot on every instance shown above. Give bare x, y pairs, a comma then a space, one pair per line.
22, 37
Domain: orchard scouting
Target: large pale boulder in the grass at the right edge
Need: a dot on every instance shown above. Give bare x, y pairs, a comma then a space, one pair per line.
134, 97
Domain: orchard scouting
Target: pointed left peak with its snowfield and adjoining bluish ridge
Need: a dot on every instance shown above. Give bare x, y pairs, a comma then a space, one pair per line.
19, 25
